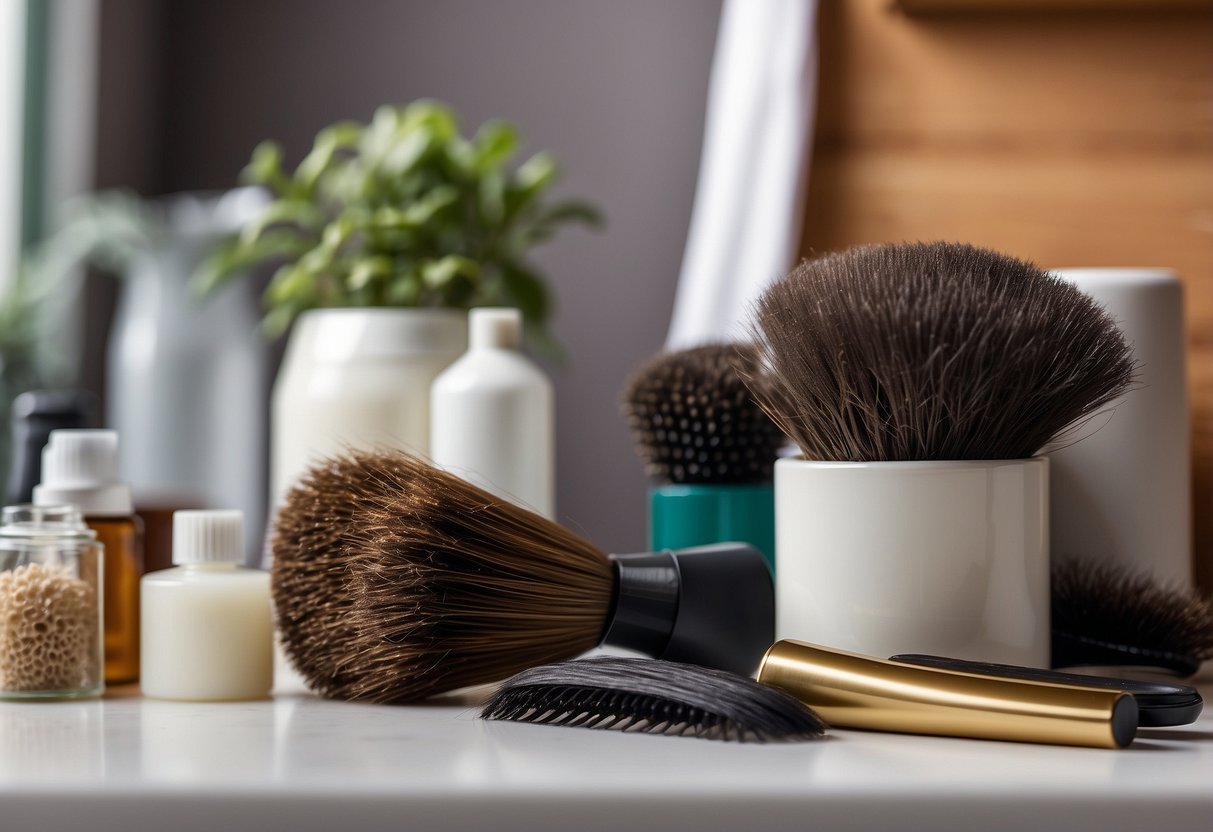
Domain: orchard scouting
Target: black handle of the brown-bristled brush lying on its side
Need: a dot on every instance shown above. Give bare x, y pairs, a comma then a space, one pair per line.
710, 606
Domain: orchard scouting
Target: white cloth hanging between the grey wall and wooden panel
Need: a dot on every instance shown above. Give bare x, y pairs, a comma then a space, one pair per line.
745, 226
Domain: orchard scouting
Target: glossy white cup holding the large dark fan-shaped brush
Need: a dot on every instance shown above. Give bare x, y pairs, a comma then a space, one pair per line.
946, 559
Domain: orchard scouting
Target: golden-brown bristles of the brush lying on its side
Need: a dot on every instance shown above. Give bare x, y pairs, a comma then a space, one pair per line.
395, 582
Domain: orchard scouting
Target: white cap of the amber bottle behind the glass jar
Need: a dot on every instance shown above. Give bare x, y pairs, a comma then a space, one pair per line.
81, 468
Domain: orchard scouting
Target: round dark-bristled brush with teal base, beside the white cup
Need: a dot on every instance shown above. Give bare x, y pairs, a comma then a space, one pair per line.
708, 446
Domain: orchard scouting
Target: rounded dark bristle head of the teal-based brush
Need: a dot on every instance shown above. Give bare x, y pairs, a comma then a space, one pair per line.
696, 421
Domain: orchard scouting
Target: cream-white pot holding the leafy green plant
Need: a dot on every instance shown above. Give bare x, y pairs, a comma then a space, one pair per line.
358, 378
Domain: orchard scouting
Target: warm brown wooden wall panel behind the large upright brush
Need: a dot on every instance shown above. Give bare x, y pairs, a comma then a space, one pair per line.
1067, 139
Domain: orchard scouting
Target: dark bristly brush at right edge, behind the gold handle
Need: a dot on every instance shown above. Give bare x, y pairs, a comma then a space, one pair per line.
1106, 616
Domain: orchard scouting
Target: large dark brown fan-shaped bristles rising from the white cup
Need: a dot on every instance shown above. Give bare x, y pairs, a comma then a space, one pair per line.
933, 351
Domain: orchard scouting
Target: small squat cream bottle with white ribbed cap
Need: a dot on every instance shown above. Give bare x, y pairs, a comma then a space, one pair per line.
207, 624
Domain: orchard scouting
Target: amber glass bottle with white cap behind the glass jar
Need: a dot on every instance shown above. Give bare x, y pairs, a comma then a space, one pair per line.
81, 468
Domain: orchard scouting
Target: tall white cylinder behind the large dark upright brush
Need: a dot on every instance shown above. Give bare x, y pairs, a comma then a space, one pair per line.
1123, 492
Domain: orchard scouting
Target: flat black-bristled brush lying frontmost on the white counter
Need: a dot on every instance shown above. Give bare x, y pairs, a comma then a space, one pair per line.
653, 697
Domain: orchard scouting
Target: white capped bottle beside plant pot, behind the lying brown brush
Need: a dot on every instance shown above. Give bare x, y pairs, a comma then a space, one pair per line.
493, 415
